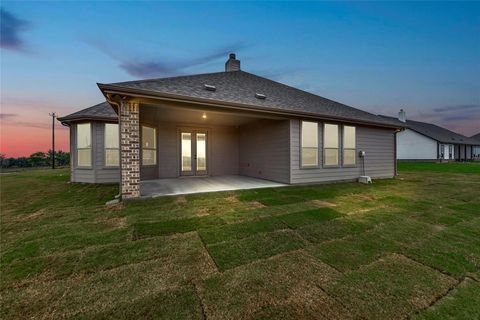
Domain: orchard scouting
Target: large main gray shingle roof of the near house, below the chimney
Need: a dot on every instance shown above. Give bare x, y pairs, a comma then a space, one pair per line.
246, 89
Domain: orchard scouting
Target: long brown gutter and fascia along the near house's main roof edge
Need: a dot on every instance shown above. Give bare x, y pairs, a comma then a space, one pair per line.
108, 90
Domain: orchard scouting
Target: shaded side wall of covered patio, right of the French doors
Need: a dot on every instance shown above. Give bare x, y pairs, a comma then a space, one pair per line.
265, 150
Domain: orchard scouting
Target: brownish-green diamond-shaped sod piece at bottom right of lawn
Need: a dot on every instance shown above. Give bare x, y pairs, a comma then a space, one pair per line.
392, 287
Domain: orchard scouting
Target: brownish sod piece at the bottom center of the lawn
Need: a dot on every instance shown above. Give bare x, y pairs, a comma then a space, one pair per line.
285, 286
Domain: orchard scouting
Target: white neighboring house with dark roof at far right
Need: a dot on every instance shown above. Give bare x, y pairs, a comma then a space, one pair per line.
426, 141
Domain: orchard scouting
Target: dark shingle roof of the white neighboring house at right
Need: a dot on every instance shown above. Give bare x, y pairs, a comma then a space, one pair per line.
435, 132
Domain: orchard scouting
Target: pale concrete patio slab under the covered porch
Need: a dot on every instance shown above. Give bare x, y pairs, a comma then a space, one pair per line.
188, 185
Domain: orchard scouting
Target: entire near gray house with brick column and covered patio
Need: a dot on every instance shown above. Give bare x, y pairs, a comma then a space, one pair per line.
224, 123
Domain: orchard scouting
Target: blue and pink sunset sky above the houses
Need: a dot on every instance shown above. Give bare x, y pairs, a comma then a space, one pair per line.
380, 57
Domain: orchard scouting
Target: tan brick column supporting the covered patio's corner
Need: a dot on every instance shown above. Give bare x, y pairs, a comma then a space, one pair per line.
129, 149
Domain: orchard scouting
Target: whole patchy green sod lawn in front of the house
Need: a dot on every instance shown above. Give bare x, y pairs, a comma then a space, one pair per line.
400, 248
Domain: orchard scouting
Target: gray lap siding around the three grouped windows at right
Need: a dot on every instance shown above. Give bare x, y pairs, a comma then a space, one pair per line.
377, 143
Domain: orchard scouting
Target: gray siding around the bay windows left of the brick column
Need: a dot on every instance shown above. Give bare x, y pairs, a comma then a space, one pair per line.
99, 173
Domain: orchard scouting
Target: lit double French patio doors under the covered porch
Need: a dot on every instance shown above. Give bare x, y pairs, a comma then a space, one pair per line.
193, 153
